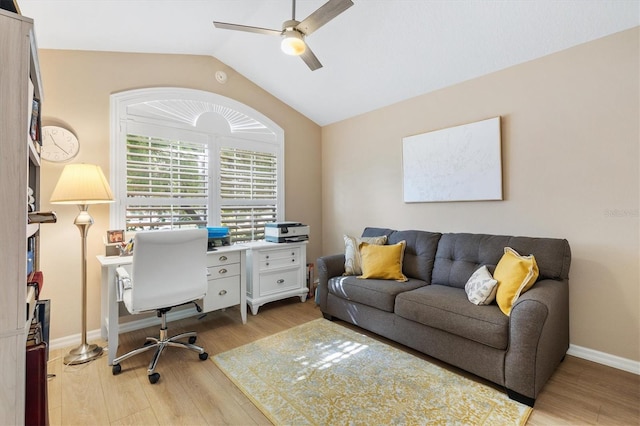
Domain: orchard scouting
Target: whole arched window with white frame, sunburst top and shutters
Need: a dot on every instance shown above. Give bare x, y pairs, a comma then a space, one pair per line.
188, 158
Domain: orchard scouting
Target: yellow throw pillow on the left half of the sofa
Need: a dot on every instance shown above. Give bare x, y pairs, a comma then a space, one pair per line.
383, 262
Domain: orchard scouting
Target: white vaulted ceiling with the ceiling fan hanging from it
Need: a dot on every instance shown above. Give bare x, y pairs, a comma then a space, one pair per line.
374, 54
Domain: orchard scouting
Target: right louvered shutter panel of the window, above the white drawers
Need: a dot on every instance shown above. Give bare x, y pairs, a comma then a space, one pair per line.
248, 192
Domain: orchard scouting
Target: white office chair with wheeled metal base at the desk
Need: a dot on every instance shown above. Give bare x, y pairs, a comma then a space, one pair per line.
169, 269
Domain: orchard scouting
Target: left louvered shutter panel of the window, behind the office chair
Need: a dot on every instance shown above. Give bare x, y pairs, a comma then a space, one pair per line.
167, 183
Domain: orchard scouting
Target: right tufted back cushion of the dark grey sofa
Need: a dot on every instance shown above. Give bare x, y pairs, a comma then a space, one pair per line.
460, 254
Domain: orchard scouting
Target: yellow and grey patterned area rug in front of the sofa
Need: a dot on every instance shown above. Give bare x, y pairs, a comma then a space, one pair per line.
321, 373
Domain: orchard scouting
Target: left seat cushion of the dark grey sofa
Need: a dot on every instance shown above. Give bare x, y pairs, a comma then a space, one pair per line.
380, 294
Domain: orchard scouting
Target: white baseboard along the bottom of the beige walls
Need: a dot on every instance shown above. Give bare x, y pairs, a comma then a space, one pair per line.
574, 350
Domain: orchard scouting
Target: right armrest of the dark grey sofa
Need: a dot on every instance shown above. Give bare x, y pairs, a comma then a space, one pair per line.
538, 337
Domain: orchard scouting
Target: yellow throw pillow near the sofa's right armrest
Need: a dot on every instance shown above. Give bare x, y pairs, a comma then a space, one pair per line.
515, 275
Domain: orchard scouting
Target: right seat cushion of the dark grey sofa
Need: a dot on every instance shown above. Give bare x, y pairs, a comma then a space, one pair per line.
447, 309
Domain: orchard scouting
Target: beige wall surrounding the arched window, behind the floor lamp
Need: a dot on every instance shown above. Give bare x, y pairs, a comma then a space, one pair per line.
77, 87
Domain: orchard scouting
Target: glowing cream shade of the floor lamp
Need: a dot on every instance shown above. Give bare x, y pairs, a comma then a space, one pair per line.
82, 184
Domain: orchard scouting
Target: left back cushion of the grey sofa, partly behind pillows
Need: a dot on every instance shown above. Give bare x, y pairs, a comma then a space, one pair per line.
419, 253
